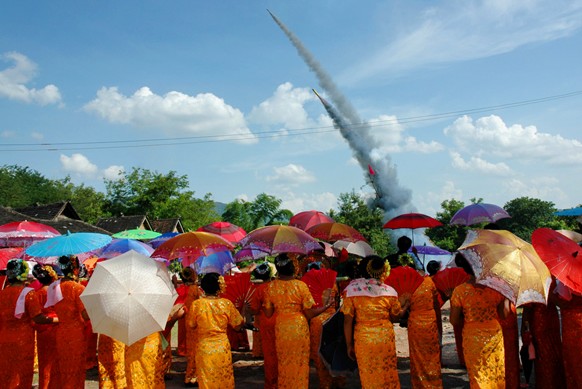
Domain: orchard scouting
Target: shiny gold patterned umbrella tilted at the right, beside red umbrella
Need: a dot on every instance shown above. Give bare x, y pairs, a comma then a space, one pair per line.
508, 264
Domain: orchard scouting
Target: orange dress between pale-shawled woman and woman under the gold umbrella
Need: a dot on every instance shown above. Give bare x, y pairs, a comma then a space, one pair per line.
423, 337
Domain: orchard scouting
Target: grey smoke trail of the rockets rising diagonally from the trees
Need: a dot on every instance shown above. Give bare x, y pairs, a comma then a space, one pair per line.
391, 197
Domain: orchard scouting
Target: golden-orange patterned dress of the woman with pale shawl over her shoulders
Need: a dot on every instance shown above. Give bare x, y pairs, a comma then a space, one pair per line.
374, 341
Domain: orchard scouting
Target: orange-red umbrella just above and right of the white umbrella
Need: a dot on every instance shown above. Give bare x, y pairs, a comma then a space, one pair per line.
191, 245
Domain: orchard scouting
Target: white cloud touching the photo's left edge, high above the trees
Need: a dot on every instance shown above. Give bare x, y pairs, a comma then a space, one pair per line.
14, 80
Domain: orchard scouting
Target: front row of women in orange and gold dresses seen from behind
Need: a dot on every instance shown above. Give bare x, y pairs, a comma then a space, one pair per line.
48, 313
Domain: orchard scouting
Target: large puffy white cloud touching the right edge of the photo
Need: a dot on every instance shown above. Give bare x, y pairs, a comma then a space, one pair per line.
491, 136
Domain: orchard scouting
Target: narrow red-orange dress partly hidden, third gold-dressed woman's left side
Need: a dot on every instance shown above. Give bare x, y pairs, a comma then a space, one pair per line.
266, 327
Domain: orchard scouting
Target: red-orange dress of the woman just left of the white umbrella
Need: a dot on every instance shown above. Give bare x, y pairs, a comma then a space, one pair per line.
70, 347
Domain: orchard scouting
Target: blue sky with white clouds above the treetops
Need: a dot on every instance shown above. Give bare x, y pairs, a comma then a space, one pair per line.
443, 99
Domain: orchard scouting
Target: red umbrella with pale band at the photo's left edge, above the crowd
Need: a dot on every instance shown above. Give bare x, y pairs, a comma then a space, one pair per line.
23, 233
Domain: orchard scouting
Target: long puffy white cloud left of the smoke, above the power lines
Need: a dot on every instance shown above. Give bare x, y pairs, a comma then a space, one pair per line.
203, 115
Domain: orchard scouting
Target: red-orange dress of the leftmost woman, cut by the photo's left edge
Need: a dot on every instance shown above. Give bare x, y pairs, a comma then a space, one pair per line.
16, 339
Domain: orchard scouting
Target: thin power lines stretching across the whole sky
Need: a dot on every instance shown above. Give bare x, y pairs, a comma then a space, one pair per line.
195, 139
